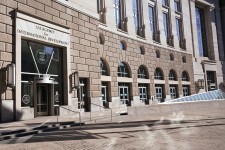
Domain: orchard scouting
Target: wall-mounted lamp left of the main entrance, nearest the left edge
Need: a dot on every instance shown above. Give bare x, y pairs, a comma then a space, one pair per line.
11, 75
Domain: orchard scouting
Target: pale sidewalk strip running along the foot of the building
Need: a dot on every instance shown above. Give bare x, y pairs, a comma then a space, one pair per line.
98, 117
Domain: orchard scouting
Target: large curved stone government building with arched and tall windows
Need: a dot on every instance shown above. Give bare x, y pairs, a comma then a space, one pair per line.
87, 54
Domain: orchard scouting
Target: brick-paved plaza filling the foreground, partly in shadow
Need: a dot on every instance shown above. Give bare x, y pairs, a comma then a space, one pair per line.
202, 129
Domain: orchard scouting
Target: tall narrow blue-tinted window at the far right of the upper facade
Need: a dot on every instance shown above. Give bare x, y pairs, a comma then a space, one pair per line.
201, 31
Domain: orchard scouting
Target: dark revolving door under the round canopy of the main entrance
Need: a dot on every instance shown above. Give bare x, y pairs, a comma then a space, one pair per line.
42, 100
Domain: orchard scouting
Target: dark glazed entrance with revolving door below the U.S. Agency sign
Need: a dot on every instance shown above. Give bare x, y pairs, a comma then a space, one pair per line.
42, 72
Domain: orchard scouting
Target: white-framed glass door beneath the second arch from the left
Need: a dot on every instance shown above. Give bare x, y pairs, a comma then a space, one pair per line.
124, 93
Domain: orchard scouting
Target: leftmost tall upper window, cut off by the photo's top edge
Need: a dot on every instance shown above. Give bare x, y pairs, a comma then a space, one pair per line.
101, 10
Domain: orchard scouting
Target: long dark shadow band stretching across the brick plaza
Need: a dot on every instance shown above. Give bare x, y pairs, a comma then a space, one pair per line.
100, 131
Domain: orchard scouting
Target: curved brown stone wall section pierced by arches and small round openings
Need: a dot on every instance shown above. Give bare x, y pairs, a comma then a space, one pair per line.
111, 52
